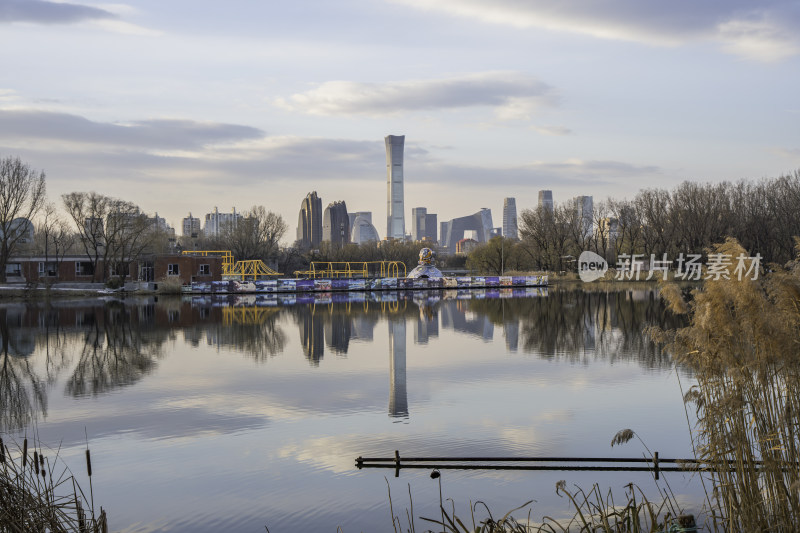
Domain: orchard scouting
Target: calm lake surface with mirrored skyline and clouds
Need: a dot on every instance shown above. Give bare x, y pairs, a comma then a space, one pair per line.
235, 413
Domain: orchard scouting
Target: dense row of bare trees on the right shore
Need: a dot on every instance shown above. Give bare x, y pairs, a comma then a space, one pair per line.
763, 216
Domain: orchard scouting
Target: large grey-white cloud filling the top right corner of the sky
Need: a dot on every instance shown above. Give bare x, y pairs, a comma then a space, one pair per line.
765, 31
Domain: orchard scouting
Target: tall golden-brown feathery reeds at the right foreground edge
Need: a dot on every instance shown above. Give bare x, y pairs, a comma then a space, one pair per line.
743, 345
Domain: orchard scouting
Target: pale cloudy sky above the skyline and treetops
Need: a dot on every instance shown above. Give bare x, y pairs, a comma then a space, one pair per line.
184, 106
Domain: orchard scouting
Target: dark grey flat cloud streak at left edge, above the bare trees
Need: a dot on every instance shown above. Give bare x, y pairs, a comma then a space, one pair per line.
149, 134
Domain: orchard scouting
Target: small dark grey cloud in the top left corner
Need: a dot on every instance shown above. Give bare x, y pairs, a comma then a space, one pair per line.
42, 12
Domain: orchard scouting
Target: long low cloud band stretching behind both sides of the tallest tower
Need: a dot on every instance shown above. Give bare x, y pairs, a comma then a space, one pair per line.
243, 155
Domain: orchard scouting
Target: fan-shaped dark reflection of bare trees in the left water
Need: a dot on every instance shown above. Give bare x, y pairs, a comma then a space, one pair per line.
116, 352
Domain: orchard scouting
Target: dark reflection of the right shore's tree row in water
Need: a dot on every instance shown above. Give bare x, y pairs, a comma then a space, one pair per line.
575, 324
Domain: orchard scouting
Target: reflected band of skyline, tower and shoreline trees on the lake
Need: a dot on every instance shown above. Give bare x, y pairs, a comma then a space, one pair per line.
100, 346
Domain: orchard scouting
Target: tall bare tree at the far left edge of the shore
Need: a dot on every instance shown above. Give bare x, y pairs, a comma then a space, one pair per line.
22, 195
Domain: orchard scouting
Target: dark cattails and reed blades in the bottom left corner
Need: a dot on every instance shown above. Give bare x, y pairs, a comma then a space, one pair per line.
38, 493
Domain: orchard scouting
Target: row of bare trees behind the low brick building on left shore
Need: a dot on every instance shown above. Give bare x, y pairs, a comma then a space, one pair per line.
109, 231
